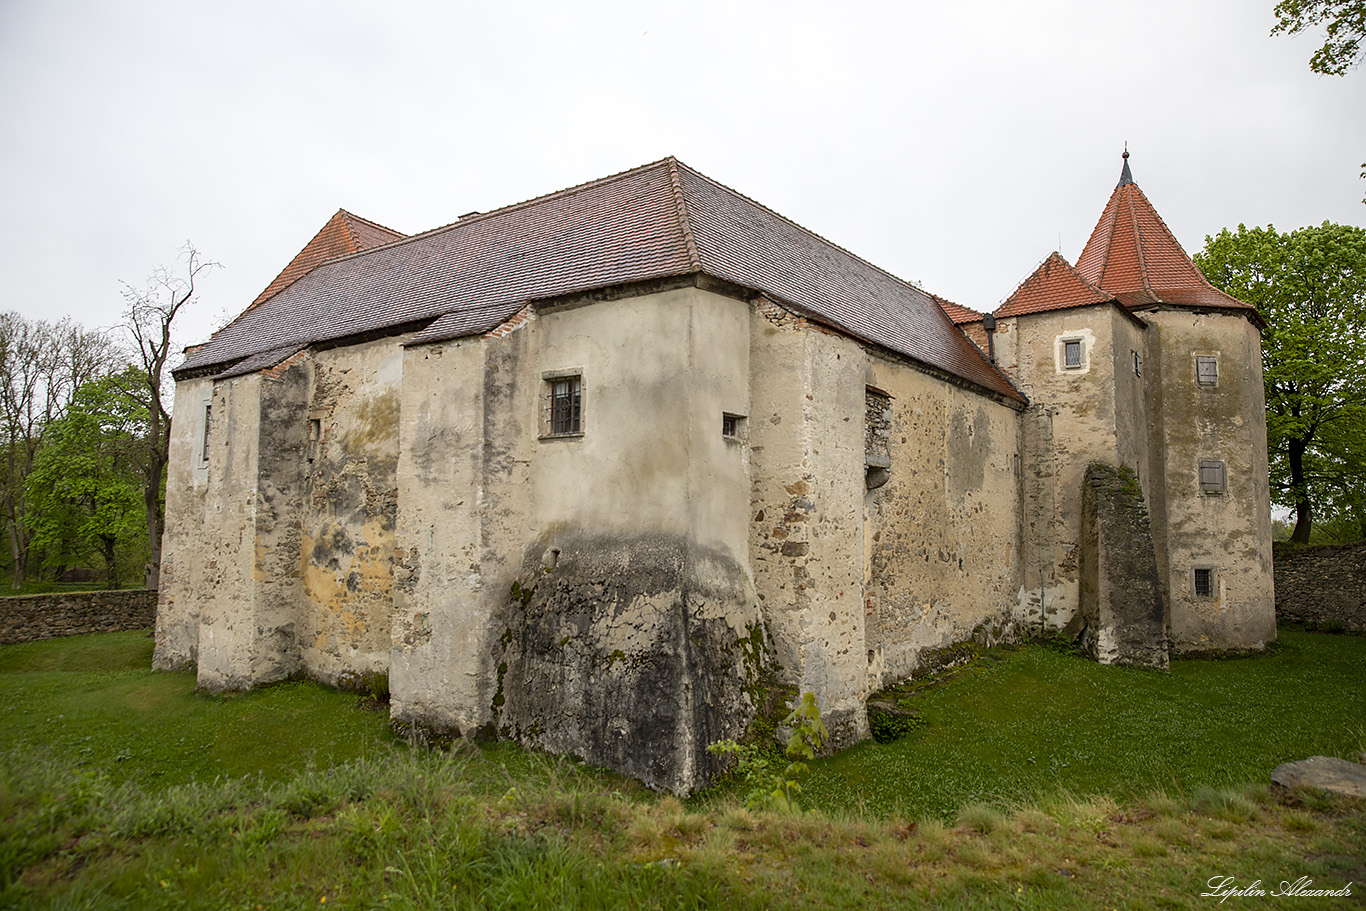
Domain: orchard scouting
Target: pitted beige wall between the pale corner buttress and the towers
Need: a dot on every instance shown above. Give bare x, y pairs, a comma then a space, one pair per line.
942, 536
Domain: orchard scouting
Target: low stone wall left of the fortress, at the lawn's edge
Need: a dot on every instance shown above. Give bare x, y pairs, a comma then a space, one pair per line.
47, 617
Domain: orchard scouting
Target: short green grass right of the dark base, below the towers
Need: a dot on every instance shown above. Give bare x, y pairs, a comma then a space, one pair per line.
1029, 722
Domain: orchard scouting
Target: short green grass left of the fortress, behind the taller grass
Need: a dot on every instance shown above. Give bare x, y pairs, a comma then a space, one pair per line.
96, 700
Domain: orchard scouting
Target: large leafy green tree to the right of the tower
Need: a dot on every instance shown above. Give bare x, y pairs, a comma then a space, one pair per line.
1311, 288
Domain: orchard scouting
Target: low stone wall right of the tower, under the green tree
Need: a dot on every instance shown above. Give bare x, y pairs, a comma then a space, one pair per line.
1324, 585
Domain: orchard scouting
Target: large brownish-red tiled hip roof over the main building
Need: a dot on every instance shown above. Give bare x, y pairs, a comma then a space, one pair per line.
656, 222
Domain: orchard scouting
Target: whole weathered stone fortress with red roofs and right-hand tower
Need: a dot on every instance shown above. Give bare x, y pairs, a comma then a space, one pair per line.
599, 471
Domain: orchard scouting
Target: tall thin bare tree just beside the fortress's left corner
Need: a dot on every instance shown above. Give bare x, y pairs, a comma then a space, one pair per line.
150, 319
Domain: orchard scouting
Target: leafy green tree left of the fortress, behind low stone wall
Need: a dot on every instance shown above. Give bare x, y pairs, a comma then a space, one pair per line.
85, 490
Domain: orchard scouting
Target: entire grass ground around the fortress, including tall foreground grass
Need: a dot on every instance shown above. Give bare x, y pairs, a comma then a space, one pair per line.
1040, 781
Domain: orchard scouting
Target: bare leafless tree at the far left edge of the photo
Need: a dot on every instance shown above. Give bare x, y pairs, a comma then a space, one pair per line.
42, 367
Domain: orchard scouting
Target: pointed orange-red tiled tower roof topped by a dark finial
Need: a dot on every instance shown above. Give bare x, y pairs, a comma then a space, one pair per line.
1134, 257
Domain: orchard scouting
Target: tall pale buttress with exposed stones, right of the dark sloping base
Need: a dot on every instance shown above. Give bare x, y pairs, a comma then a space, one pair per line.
807, 539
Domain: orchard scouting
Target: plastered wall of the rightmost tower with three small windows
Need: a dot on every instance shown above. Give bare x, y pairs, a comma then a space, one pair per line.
1227, 533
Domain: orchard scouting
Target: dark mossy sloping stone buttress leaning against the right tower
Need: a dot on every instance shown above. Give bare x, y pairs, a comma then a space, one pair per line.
1122, 607
